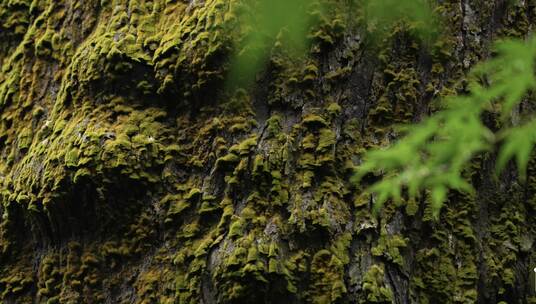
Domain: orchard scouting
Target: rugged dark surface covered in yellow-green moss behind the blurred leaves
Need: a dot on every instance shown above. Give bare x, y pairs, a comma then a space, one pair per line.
128, 174
